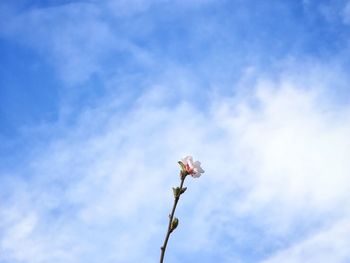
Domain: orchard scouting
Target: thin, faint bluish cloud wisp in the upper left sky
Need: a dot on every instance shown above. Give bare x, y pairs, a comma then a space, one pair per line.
77, 39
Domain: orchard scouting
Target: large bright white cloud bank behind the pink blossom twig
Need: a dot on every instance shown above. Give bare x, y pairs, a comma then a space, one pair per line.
276, 161
